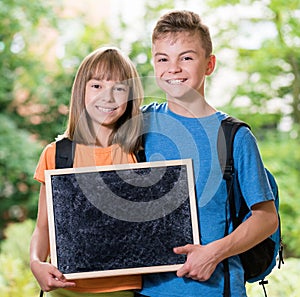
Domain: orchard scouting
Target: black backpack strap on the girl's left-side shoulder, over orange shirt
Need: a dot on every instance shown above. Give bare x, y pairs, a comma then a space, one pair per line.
65, 149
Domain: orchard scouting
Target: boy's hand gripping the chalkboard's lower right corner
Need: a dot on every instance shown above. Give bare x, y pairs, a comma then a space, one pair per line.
200, 264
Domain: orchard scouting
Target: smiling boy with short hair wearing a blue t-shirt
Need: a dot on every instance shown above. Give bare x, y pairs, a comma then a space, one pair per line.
187, 127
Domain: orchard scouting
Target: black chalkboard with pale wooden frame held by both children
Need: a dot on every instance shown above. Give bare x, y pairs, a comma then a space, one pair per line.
121, 219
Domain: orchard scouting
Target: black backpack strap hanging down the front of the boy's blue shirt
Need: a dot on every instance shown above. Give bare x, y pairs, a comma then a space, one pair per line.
227, 131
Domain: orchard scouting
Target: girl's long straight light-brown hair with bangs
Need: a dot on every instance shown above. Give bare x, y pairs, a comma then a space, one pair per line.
107, 63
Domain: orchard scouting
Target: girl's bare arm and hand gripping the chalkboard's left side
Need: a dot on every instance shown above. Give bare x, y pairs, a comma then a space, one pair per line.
47, 275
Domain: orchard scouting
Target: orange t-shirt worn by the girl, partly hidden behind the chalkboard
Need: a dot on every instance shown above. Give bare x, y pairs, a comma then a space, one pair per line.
93, 156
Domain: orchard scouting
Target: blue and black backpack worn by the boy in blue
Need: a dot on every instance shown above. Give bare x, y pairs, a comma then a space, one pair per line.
259, 261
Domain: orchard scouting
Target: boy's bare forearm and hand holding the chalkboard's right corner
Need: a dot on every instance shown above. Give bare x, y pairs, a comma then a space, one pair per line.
203, 259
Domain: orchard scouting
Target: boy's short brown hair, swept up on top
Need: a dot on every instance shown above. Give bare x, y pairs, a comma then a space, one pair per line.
183, 21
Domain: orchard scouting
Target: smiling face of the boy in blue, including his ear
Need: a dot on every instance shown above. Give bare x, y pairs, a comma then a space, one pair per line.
181, 65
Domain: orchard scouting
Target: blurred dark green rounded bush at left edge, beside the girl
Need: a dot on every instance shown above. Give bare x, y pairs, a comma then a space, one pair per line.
18, 156
